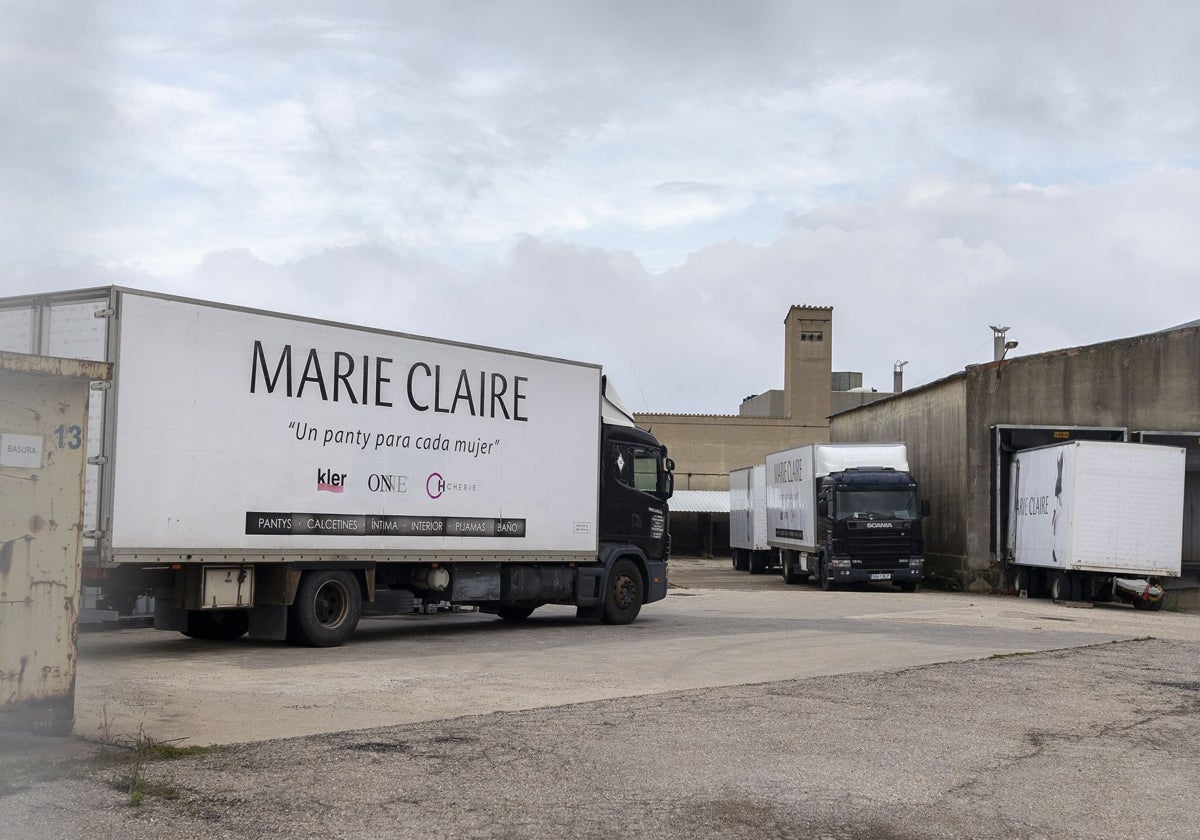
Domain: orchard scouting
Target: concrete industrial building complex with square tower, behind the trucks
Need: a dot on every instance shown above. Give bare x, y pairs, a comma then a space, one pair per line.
961, 433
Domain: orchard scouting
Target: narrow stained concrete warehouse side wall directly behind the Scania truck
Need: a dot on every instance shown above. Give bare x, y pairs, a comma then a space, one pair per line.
932, 423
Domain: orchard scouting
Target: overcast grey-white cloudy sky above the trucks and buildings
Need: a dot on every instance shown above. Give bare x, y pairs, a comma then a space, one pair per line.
644, 185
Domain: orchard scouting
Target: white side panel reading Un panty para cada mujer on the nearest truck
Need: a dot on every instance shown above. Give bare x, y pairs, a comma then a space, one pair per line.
249, 431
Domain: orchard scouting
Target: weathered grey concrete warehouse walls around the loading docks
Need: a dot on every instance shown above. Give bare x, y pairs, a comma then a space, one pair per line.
1149, 383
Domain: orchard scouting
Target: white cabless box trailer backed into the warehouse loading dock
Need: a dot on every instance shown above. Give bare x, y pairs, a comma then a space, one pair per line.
1096, 521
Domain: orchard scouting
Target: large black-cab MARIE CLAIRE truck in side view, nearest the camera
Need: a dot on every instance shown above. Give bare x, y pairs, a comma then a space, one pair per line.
278, 476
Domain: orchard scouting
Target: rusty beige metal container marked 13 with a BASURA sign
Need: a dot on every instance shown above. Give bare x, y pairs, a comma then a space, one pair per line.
44, 429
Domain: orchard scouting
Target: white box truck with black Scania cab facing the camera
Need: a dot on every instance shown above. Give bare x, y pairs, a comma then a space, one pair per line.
845, 513
